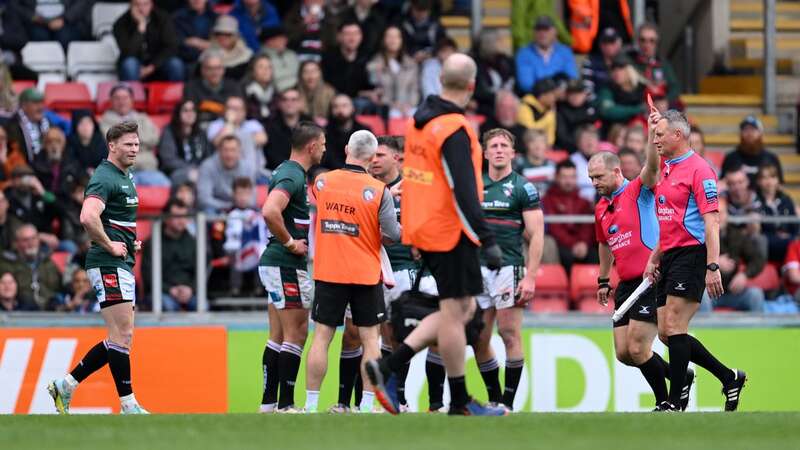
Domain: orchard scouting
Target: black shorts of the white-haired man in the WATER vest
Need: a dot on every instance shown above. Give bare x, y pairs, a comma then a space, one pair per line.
331, 300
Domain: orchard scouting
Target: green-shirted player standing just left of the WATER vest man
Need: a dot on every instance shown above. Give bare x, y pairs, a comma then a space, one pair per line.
283, 268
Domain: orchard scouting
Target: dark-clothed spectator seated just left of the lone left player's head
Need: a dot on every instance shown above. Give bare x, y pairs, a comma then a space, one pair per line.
86, 145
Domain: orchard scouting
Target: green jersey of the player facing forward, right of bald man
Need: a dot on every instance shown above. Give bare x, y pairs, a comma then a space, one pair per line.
503, 203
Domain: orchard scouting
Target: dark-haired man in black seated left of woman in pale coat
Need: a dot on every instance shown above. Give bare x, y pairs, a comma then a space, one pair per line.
346, 69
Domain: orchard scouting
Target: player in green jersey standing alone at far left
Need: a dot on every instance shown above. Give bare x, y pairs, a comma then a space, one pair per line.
109, 216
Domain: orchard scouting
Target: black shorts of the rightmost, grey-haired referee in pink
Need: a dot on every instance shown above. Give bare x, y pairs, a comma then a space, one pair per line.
683, 274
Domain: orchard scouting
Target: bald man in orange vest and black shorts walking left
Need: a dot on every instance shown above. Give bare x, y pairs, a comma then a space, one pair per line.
442, 191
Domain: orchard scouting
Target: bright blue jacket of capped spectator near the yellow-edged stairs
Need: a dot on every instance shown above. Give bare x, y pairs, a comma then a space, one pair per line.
532, 68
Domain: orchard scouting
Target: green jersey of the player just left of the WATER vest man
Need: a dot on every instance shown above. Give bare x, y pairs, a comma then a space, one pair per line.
289, 177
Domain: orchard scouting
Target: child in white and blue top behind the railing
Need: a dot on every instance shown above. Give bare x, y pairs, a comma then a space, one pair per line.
246, 236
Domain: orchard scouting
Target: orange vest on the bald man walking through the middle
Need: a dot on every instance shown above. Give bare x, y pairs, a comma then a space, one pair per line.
431, 219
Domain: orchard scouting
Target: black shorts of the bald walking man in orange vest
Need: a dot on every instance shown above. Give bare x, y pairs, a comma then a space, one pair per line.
458, 271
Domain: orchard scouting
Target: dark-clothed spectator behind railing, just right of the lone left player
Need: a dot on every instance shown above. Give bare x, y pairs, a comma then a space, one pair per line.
178, 254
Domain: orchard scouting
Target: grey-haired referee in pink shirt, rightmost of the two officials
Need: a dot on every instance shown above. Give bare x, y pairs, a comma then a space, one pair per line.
687, 257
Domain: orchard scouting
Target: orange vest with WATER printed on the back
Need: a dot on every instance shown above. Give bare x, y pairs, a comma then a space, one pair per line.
347, 235
